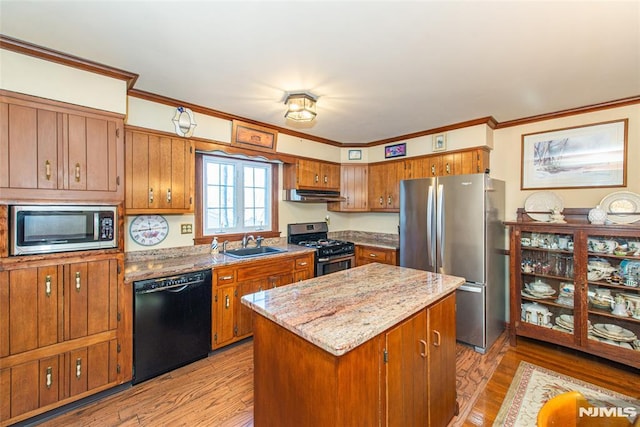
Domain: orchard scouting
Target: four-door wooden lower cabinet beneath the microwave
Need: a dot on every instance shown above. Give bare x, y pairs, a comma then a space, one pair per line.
61, 337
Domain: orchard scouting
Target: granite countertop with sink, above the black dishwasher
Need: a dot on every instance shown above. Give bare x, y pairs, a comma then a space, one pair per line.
165, 263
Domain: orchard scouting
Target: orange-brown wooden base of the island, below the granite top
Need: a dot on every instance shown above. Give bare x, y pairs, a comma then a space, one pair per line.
404, 376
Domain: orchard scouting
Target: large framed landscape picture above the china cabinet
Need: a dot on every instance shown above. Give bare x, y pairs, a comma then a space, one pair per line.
585, 156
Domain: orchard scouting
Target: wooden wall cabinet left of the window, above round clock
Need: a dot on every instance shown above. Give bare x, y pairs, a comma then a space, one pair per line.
160, 172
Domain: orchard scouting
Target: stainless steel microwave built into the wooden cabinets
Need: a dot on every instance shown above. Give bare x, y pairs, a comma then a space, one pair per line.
42, 229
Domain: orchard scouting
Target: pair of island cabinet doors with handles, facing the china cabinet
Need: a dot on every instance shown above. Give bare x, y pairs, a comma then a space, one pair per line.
420, 386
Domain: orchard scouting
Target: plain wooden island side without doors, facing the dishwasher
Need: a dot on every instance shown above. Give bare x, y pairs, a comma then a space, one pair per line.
310, 387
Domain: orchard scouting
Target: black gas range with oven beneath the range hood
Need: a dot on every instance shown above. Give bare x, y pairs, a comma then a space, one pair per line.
331, 255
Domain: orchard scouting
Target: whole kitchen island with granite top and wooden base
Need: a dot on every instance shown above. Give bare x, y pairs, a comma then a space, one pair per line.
373, 345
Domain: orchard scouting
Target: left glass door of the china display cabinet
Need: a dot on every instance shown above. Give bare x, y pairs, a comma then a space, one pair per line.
547, 288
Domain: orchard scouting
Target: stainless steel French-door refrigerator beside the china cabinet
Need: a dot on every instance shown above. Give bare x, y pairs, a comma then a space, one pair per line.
454, 225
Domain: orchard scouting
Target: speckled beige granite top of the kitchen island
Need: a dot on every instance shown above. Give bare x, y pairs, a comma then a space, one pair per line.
339, 311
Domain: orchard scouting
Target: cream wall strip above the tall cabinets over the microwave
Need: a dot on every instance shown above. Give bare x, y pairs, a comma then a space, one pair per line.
26, 74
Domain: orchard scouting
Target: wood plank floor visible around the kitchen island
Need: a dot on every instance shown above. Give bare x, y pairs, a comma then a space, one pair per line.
218, 390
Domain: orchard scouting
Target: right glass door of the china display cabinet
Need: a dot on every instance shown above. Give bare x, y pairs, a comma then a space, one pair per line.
613, 277
